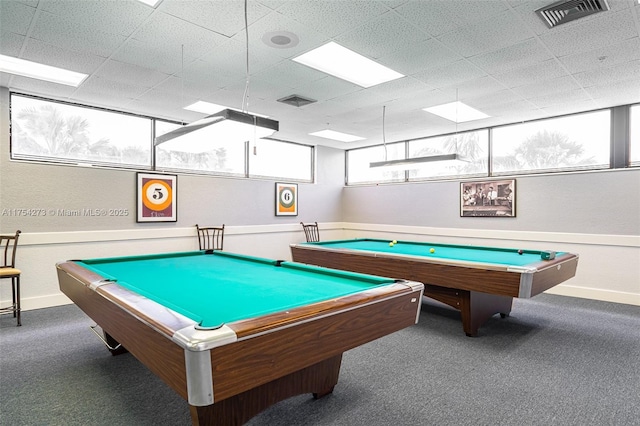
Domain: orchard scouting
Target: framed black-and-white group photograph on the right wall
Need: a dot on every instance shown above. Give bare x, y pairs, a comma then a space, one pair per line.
491, 198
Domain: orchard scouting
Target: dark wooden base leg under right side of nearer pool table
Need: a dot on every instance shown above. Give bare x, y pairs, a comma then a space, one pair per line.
318, 379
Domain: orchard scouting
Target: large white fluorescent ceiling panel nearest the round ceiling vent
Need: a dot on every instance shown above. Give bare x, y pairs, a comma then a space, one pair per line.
346, 64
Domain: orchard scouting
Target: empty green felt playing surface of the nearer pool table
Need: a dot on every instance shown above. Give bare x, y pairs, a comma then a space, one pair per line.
217, 288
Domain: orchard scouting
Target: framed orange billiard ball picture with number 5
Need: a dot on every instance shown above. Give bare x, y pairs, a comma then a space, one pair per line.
156, 197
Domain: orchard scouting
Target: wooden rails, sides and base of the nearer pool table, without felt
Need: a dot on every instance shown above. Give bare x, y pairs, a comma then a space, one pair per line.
270, 359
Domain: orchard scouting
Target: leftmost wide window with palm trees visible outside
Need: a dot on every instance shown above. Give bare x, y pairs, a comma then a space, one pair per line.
46, 130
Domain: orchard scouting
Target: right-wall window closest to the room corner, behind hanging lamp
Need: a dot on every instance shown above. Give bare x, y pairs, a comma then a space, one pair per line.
358, 161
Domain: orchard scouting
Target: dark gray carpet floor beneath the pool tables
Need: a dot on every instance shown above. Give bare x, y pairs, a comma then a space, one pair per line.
555, 361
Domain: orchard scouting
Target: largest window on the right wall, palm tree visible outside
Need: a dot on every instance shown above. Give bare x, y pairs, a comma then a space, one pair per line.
580, 141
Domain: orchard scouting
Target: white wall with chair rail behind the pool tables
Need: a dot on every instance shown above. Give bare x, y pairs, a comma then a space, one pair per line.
596, 215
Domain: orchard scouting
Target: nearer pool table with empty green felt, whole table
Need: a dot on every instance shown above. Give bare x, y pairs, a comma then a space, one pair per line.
234, 334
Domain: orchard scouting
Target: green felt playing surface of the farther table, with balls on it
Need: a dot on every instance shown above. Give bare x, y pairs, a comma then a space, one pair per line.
479, 254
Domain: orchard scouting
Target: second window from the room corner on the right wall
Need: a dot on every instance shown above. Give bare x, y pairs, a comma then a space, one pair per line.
470, 145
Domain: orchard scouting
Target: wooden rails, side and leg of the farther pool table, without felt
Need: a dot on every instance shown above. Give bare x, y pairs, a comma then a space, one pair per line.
478, 291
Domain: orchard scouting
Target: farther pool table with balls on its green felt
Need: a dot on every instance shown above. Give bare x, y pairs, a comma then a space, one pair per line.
478, 281
